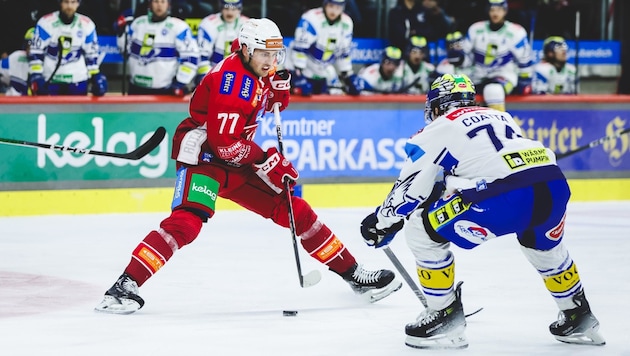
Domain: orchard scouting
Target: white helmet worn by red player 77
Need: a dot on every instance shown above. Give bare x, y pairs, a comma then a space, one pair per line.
262, 34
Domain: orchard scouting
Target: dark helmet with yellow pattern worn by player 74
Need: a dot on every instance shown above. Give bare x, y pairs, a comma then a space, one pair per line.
448, 91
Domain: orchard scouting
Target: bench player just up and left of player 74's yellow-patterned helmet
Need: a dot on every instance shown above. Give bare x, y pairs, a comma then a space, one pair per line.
417, 72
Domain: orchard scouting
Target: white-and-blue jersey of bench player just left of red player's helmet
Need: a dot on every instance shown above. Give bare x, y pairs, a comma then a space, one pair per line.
215, 38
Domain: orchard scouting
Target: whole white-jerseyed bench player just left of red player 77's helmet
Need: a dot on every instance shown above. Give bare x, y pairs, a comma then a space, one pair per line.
216, 34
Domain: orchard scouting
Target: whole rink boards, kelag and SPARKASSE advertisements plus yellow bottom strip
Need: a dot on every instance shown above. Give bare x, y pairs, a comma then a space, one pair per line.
348, 150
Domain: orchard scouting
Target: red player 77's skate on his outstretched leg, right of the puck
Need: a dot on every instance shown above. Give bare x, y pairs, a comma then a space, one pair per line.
372, 285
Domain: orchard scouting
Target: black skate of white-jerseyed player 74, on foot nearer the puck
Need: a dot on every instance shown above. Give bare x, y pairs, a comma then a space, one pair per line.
439, 329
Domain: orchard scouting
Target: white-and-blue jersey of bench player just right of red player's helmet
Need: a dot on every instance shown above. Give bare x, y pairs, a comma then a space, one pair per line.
318, 44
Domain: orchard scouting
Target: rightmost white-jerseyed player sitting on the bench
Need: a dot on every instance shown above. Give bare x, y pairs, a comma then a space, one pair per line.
553, 75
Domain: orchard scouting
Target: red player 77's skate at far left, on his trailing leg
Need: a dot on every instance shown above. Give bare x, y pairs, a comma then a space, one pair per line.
122, 297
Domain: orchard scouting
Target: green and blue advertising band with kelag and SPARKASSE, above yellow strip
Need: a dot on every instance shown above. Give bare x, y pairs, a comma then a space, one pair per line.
326, 143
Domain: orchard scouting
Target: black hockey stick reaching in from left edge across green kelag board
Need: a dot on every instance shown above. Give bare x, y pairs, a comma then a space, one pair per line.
136, 154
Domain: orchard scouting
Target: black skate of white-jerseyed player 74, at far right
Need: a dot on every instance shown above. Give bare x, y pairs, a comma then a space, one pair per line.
578, 325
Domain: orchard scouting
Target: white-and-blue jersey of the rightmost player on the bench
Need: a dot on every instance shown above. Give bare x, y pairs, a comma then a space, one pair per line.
549, 80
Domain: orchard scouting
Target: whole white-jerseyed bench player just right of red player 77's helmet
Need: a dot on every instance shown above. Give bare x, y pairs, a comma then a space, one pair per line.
323, 38
